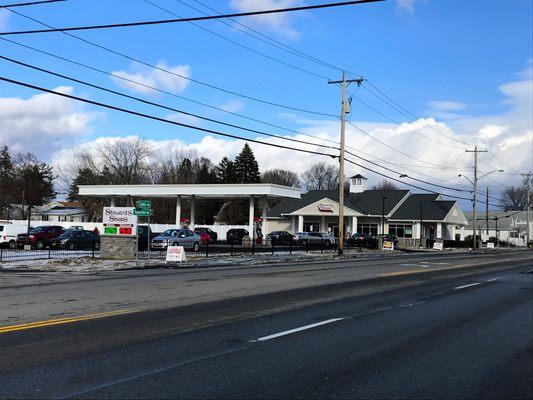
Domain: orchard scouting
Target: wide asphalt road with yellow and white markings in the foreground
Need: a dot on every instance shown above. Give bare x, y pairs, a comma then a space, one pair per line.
426, 327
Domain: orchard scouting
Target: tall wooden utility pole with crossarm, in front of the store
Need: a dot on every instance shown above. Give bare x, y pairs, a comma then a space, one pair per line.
345, 109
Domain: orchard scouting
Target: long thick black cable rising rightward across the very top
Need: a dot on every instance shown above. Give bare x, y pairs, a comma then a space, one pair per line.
192, 19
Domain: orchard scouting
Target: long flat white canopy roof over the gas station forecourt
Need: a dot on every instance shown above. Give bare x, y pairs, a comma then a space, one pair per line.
214, 191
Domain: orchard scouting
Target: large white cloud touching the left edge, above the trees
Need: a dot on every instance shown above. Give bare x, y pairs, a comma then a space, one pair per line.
42, 123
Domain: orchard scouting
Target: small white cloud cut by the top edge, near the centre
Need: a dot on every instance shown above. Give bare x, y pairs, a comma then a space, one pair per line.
280, 23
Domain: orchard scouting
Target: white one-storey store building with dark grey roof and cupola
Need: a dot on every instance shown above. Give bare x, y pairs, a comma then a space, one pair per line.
413, 218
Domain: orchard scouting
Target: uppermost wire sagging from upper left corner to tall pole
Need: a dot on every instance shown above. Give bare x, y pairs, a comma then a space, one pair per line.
147, 64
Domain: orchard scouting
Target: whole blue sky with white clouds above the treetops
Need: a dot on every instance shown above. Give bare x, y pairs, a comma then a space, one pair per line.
459, 73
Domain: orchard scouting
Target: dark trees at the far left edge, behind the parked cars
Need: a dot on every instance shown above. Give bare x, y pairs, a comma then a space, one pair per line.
24, 180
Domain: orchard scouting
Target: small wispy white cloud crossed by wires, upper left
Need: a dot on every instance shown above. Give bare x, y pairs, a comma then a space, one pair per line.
176, 81
